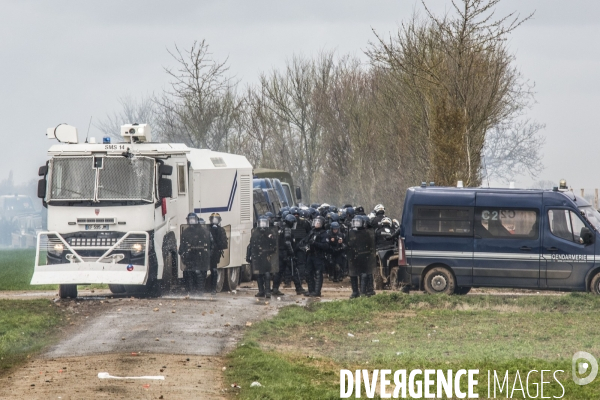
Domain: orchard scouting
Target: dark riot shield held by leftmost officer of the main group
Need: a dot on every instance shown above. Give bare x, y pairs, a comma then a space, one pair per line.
264, 250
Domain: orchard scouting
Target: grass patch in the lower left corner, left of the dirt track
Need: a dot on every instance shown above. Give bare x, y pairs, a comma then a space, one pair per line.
26, 326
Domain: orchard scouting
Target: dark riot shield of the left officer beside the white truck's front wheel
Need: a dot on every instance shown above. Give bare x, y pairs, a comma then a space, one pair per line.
195, 247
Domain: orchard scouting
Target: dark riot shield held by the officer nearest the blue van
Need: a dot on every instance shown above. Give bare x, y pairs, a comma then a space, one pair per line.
361, 252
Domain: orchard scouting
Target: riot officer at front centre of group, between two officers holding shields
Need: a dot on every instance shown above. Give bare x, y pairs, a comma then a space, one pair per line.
315, 263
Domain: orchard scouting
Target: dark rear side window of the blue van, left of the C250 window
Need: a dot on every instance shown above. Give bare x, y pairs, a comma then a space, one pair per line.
443, 221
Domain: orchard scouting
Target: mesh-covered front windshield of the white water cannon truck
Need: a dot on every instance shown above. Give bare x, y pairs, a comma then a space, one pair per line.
114, 178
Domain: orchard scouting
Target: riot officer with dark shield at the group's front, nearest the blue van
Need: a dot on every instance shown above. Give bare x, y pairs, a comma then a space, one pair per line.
361, 256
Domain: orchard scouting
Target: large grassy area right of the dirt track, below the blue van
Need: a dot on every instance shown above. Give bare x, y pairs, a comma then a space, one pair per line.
307, 346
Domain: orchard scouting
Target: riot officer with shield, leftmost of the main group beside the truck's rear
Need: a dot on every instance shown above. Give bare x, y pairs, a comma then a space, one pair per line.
264, 256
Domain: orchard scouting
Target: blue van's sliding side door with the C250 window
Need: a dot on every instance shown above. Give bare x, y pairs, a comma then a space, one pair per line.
507, 240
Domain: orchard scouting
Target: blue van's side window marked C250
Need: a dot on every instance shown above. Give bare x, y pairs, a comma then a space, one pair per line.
506, 223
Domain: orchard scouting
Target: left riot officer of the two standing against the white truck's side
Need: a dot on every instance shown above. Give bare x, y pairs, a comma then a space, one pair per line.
195, 251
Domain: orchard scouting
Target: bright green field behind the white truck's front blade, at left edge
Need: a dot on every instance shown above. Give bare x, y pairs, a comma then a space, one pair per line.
16, 270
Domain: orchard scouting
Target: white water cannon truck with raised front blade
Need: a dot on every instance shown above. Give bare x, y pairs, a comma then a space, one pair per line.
115, 210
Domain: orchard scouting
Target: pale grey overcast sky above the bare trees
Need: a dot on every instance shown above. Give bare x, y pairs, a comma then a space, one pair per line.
64, 61
